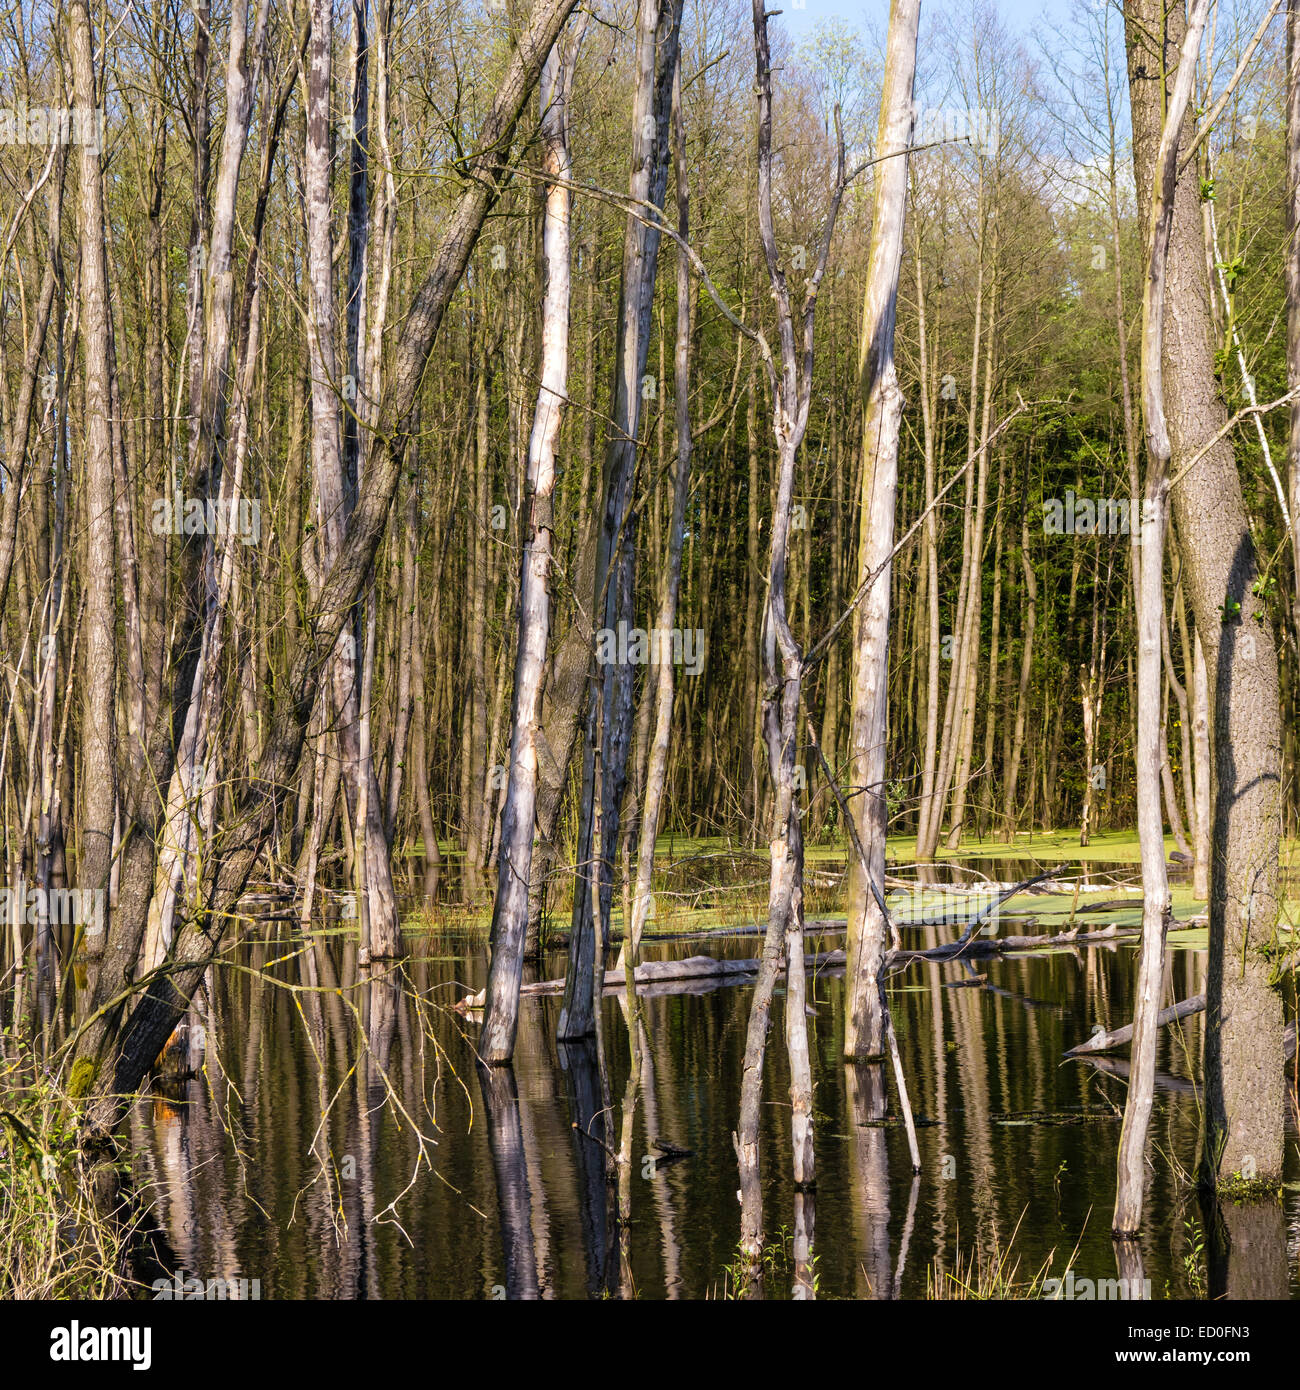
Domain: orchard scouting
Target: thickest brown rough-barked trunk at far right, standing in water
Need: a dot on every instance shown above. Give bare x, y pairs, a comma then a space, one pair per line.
1244, 1084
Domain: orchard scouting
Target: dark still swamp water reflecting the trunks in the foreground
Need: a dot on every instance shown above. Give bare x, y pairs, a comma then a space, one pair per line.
332, 1168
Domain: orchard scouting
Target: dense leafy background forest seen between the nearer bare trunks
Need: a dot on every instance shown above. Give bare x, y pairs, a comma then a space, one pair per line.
1021, 281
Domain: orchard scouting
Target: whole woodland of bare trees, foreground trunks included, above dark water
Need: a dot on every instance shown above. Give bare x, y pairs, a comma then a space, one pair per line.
450, 448
